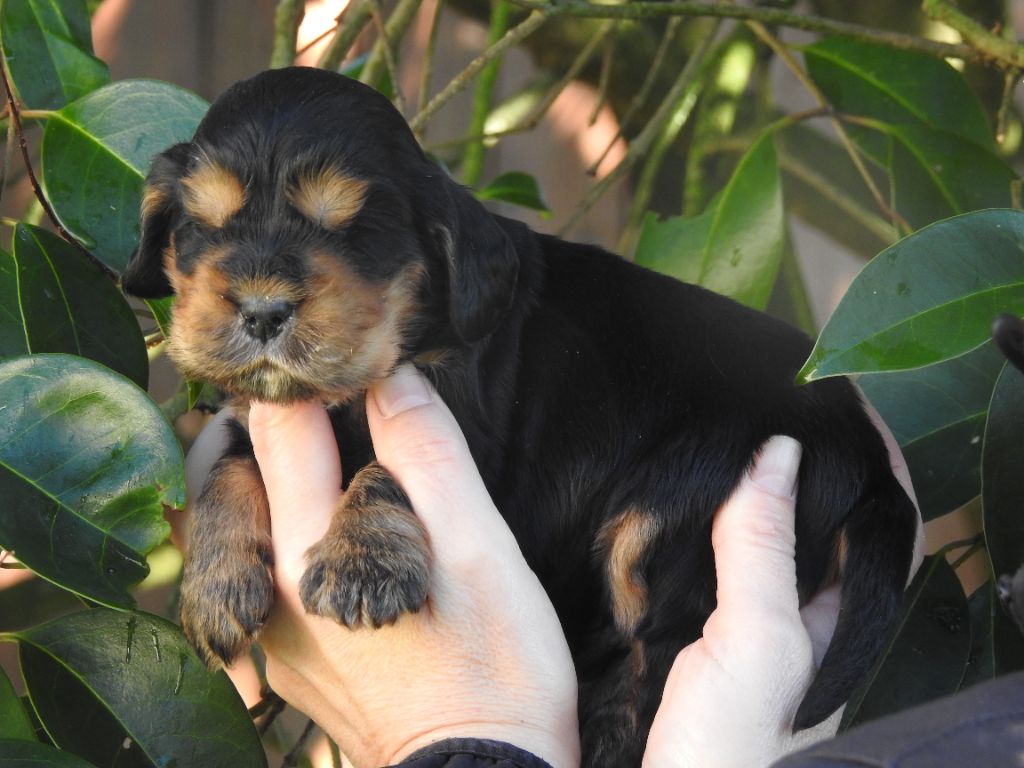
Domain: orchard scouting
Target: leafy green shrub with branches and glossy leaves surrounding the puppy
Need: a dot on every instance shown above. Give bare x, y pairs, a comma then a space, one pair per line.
769, 151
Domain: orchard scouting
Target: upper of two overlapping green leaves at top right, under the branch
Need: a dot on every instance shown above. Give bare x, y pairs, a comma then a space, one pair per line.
899, 88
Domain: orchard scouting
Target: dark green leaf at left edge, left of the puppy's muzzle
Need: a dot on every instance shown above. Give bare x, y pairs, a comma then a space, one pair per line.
61, 303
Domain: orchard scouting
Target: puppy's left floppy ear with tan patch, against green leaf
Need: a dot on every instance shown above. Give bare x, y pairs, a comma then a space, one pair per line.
161, 203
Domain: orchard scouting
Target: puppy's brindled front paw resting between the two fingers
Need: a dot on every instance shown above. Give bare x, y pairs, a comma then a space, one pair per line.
373, 565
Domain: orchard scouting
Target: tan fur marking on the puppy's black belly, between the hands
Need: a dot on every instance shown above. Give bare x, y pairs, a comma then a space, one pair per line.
627, 539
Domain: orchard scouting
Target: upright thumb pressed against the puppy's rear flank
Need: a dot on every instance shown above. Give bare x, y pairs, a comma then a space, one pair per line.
754, 539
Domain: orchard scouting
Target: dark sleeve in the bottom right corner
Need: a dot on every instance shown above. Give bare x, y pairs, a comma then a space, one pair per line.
983, 727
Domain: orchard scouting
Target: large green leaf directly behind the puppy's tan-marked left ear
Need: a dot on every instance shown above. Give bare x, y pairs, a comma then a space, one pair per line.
96, 154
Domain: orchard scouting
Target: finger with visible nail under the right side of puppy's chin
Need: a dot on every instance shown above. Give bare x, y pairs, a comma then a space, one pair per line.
418, 440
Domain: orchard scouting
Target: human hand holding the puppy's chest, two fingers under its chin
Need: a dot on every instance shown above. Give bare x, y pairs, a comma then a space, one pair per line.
486, 658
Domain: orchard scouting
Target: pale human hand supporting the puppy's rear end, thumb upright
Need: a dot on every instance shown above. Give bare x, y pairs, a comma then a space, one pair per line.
730, 702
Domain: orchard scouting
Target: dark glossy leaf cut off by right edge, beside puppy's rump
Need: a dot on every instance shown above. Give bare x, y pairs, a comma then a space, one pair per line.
1002, 479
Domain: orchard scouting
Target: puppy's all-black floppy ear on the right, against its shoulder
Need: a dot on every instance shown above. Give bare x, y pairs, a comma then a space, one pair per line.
482, 263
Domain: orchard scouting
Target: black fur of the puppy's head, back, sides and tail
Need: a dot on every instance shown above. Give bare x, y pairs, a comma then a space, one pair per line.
586, 387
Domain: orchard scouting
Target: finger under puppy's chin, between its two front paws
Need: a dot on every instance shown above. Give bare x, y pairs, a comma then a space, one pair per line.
298, 458
